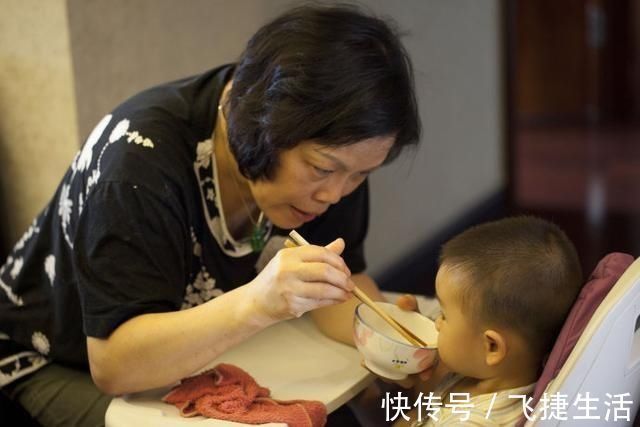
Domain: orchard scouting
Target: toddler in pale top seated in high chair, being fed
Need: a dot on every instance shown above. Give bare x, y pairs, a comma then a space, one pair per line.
505, 289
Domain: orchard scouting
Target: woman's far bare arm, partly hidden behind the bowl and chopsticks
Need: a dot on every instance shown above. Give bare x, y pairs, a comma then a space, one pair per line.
336, 321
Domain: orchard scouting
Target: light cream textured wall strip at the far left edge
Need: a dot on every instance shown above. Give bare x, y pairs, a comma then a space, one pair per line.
38, 129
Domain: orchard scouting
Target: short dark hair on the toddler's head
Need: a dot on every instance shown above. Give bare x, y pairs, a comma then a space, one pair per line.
523, 274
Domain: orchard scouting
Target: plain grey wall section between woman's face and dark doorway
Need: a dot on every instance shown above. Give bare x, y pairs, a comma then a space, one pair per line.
455, 50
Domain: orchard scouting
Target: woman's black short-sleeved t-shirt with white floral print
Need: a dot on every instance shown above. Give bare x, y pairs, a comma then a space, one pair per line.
134, 227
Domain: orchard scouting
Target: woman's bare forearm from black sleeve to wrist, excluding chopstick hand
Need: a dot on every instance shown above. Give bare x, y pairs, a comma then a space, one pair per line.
154, 350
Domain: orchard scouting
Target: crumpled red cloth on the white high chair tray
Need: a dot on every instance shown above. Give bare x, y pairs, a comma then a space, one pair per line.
226, 392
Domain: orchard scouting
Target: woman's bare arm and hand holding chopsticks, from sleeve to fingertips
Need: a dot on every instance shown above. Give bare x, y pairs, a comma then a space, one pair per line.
154, 350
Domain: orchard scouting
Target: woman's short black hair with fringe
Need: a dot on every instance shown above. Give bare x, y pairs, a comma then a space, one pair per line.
332, 74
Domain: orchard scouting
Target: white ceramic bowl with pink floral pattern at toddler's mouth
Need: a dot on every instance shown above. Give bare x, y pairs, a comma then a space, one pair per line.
386, 353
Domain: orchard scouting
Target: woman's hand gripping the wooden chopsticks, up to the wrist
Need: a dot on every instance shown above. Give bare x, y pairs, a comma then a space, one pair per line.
301, 279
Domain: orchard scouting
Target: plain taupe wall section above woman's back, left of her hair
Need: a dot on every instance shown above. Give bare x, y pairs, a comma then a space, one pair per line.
123, 46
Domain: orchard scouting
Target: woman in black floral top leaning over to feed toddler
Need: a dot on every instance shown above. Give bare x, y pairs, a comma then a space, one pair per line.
162, 246
